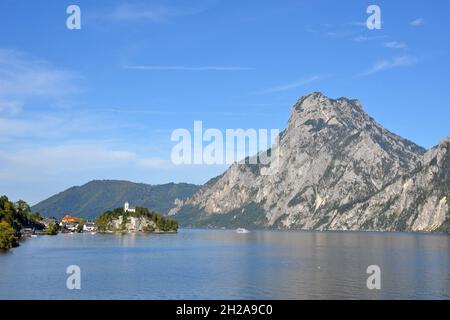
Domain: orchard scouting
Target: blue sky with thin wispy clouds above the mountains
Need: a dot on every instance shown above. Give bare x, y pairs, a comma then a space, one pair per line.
101, 102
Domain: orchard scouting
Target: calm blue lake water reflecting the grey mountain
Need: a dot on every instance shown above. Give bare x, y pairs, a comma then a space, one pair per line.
221, 264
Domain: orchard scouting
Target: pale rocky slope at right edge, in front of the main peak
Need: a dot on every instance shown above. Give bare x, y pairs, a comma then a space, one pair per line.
417, 201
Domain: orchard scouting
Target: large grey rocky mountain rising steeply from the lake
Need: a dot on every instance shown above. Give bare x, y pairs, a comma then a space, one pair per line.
337, 170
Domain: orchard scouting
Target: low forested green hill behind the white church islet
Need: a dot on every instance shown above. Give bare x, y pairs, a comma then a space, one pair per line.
98, 196
